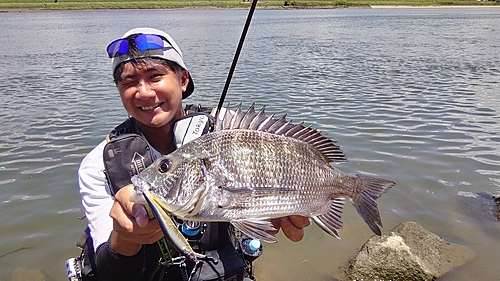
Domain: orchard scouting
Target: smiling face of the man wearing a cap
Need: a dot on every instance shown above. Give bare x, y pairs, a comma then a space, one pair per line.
152, 93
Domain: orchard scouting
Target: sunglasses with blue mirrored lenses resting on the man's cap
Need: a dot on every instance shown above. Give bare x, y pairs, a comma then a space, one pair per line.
143, 42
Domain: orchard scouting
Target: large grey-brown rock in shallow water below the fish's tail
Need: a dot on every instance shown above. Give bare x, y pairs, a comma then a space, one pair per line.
408, 252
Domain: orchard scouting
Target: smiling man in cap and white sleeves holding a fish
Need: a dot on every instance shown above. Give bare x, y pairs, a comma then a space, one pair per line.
152, 80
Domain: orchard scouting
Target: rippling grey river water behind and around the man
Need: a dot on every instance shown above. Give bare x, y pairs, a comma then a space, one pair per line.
411, 95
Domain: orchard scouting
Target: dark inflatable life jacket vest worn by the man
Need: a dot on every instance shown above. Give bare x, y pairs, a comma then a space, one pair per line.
127, 153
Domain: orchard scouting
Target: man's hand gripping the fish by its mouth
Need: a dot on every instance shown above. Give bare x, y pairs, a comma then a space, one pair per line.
131, 225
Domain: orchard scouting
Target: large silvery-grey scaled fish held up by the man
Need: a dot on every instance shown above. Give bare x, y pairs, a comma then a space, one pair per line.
253, 168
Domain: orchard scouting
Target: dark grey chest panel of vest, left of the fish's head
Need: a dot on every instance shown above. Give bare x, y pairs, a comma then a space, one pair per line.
125, 156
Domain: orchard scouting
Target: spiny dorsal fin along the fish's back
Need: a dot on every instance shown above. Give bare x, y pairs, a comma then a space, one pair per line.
257, 121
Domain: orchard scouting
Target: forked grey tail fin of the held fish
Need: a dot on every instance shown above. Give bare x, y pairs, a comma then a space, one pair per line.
364, 202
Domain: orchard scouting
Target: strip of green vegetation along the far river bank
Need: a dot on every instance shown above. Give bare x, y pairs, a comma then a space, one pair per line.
174, 4
